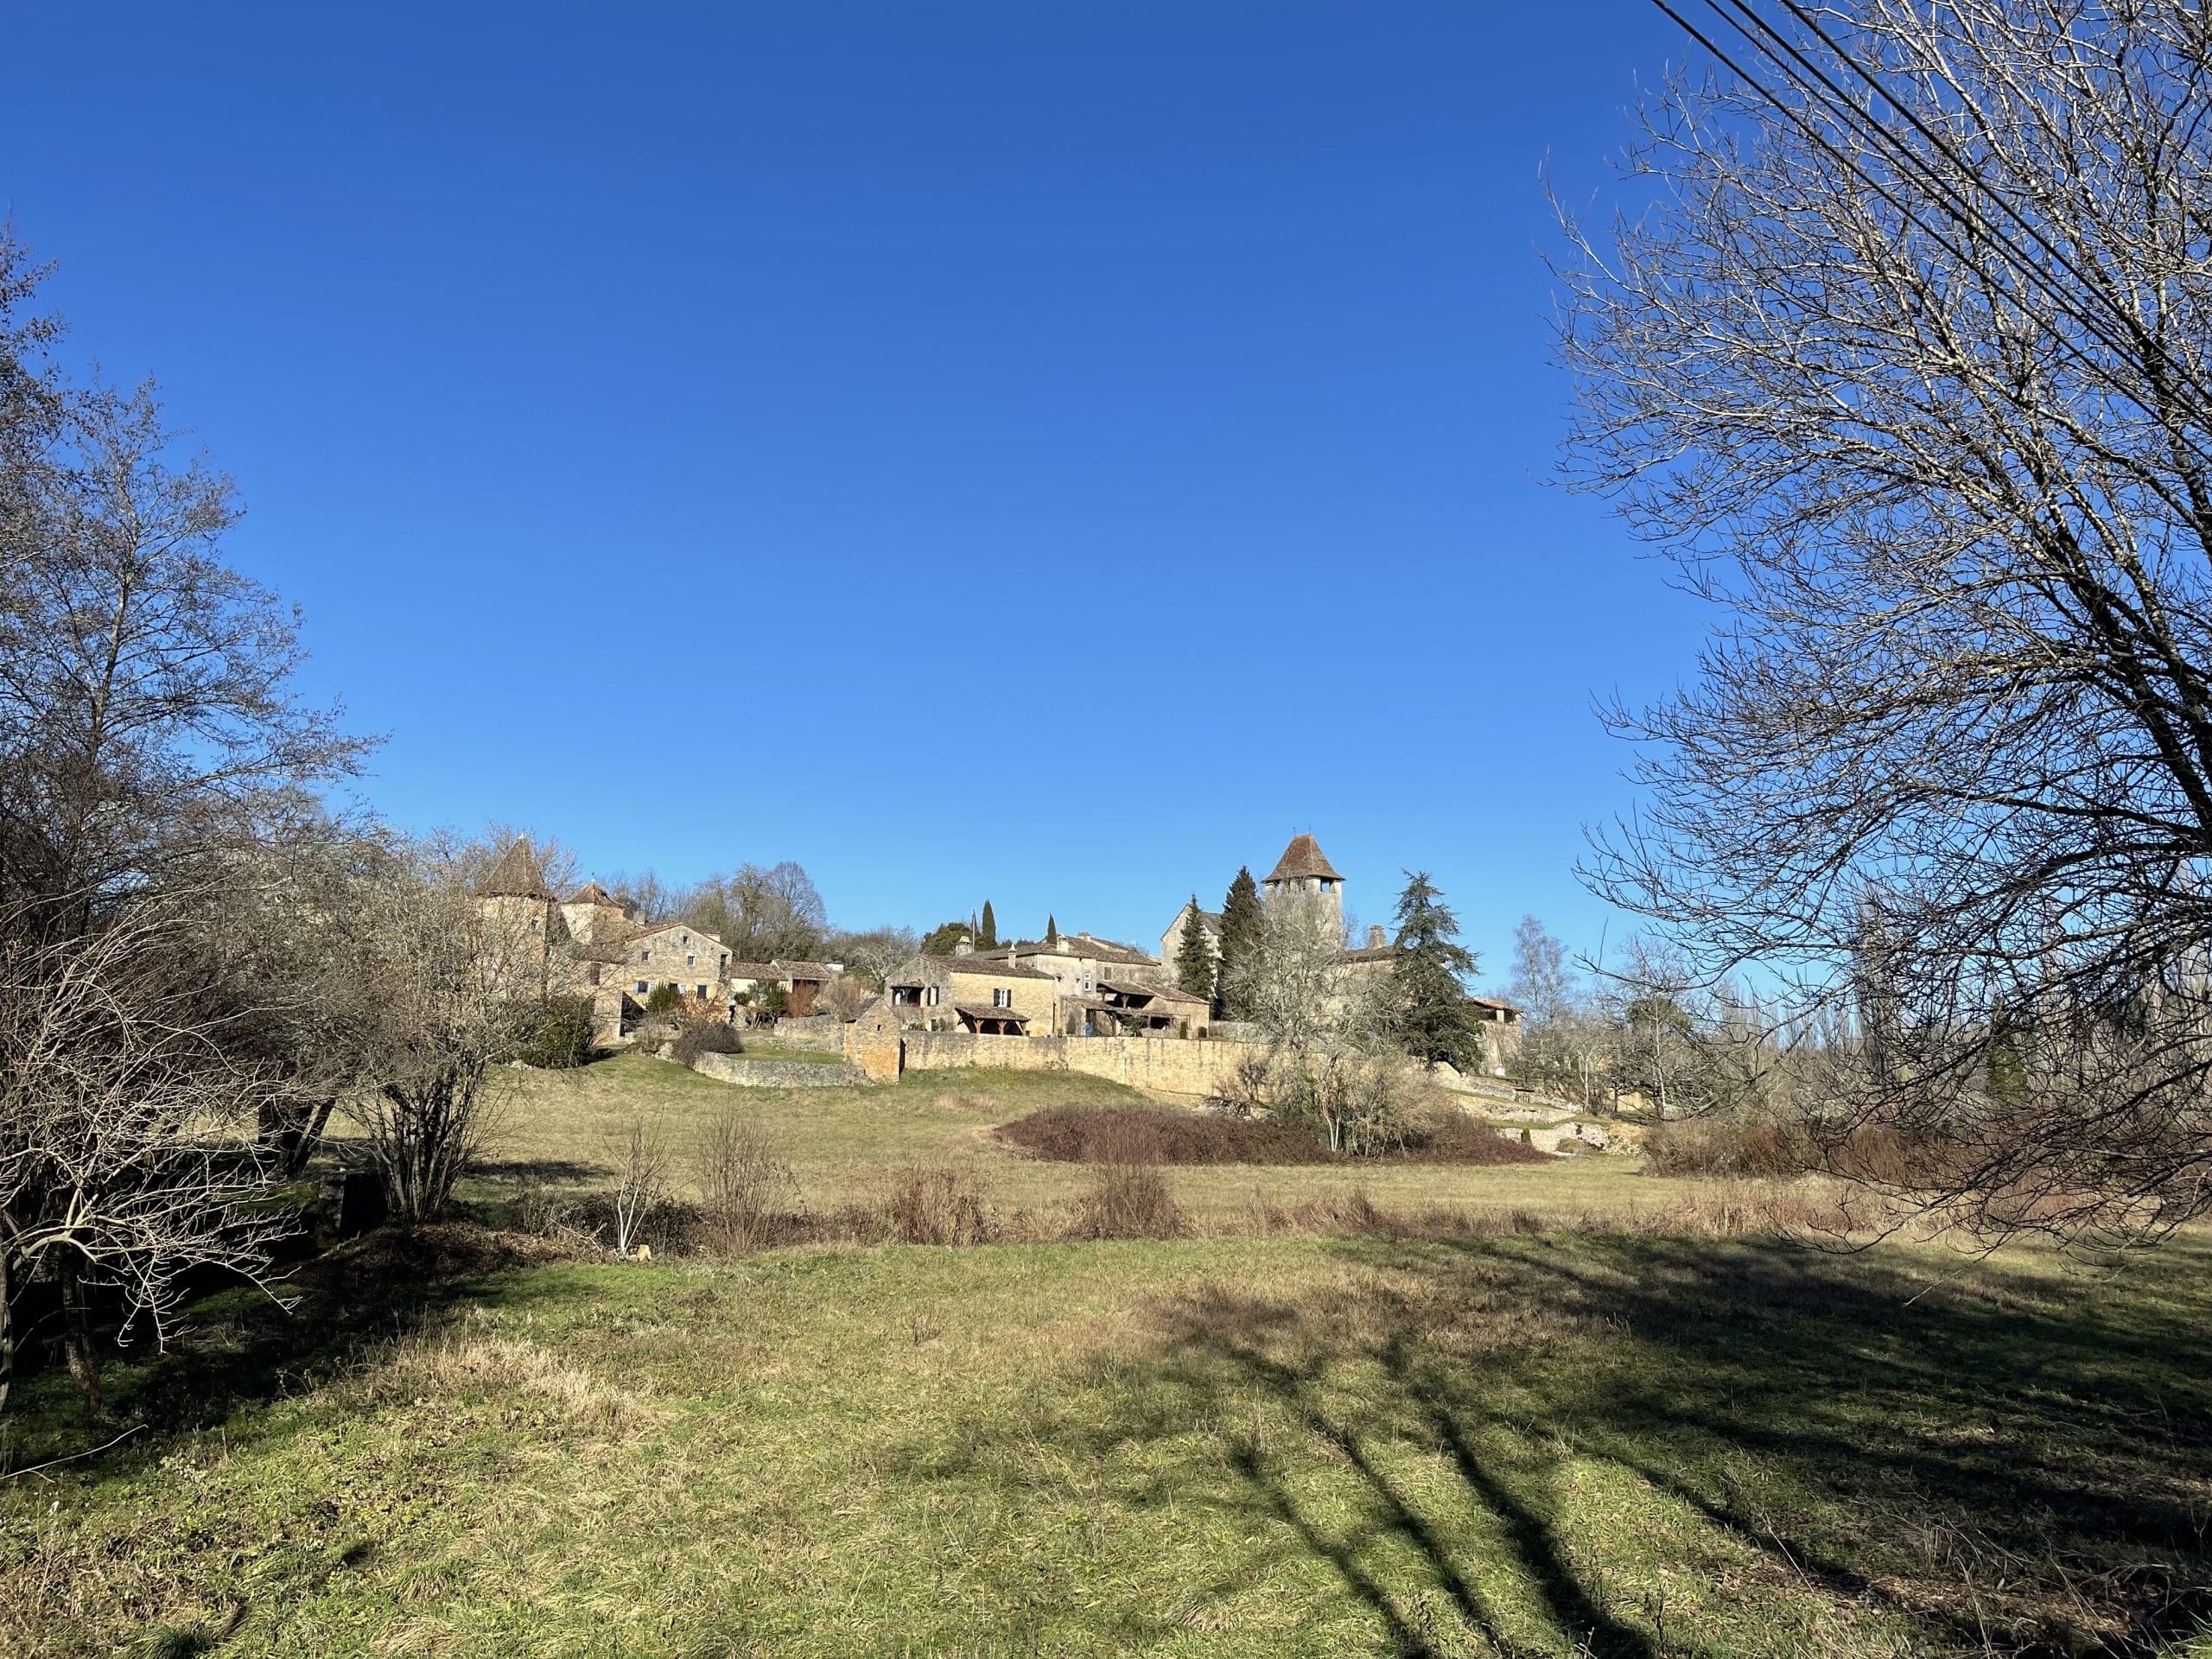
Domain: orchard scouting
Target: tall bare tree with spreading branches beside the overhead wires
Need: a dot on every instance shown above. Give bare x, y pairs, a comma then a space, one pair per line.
1908, 373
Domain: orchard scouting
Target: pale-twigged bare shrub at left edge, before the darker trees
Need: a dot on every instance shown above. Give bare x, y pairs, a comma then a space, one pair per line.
127, 1127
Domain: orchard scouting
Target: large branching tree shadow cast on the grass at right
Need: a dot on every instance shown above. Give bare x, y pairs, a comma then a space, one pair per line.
1837, 1452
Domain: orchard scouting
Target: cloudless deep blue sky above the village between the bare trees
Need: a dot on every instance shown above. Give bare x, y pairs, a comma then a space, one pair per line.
1027, 452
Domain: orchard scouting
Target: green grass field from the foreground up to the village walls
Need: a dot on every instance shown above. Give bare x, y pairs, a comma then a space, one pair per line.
1574, 1443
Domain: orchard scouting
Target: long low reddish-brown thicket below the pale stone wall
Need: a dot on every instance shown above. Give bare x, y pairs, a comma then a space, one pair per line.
1158, 1136
